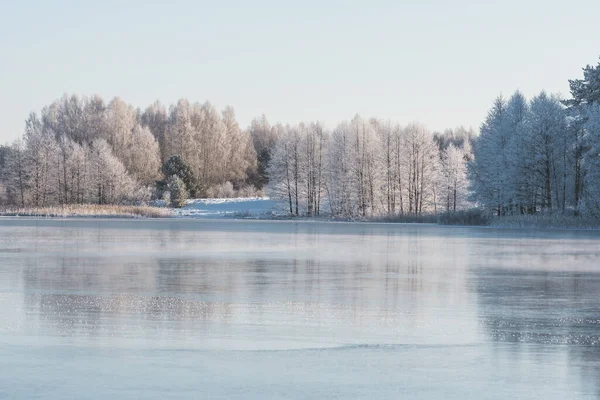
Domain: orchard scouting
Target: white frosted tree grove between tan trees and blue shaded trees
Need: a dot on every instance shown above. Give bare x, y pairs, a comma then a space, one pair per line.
368, 167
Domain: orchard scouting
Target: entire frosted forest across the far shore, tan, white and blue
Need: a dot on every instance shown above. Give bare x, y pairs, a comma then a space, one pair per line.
530, 156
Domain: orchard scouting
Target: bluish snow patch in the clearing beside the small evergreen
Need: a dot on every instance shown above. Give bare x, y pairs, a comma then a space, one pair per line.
259, 207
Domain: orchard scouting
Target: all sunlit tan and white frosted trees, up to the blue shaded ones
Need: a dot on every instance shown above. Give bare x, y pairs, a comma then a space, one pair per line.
81, 150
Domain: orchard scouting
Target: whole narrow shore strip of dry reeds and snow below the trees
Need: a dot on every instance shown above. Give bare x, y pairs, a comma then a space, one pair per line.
265, 209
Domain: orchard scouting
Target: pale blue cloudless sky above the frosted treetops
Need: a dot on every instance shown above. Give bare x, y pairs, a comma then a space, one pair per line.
437, 62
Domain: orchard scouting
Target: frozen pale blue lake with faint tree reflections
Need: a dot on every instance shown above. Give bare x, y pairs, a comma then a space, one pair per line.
223, 309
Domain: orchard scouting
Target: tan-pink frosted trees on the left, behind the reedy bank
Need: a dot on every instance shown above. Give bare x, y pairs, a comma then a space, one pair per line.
81, 150
